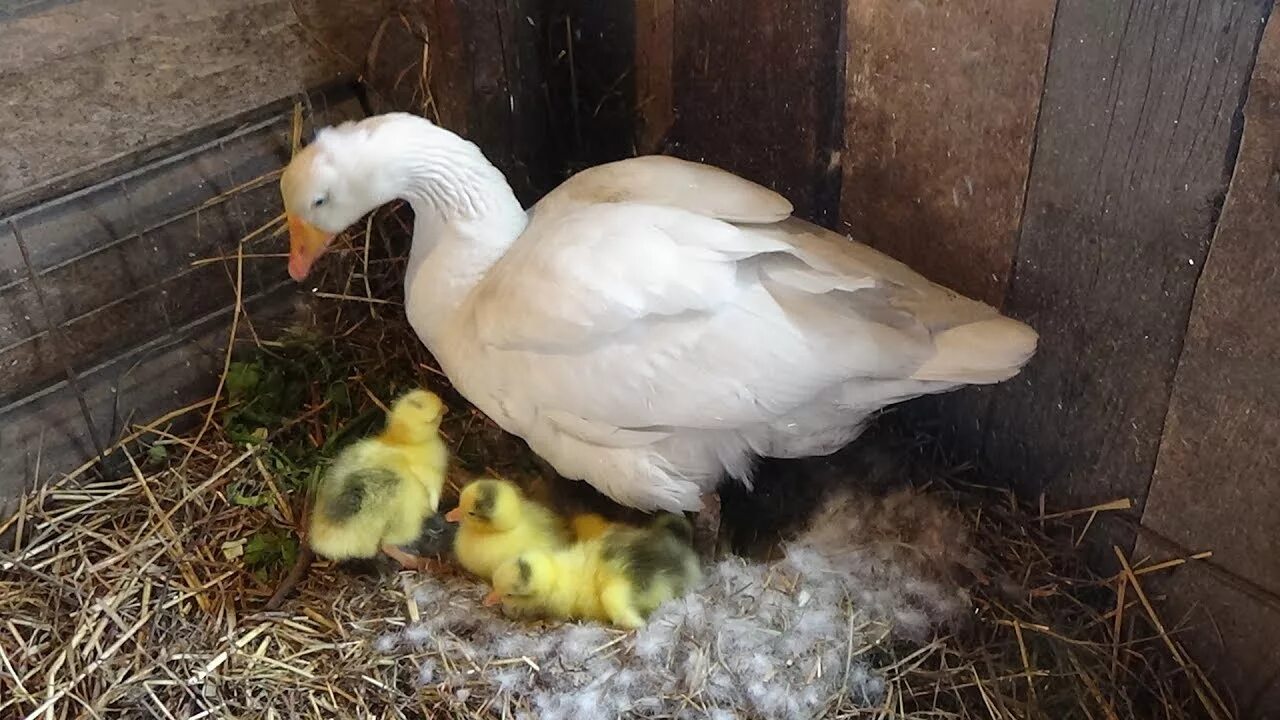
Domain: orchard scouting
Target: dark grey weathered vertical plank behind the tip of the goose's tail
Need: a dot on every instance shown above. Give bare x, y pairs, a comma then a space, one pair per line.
1135, 147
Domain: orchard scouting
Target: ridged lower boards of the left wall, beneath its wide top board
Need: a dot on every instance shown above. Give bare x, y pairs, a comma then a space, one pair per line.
116, 262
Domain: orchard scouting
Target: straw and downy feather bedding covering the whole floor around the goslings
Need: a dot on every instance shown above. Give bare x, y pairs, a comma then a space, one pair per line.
143, 595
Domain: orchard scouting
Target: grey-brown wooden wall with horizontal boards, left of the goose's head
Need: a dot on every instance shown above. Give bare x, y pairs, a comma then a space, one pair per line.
141, 138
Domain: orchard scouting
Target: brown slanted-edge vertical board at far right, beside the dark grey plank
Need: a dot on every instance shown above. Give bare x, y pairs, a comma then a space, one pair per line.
1215, 477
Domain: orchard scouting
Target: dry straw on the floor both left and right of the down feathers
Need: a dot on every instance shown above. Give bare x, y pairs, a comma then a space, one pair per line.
143, 595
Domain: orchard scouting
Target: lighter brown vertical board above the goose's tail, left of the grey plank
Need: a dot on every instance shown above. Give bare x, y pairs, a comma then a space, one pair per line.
941, 102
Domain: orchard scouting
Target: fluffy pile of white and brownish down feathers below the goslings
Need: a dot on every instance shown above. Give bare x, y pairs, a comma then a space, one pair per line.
784, 640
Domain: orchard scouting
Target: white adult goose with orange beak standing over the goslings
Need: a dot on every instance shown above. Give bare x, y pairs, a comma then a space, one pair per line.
653, 325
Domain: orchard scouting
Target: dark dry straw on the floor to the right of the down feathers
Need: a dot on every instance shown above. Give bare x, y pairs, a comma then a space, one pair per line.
1050, 637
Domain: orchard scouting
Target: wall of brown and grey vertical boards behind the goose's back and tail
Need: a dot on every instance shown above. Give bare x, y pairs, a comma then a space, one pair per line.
1082, 166
